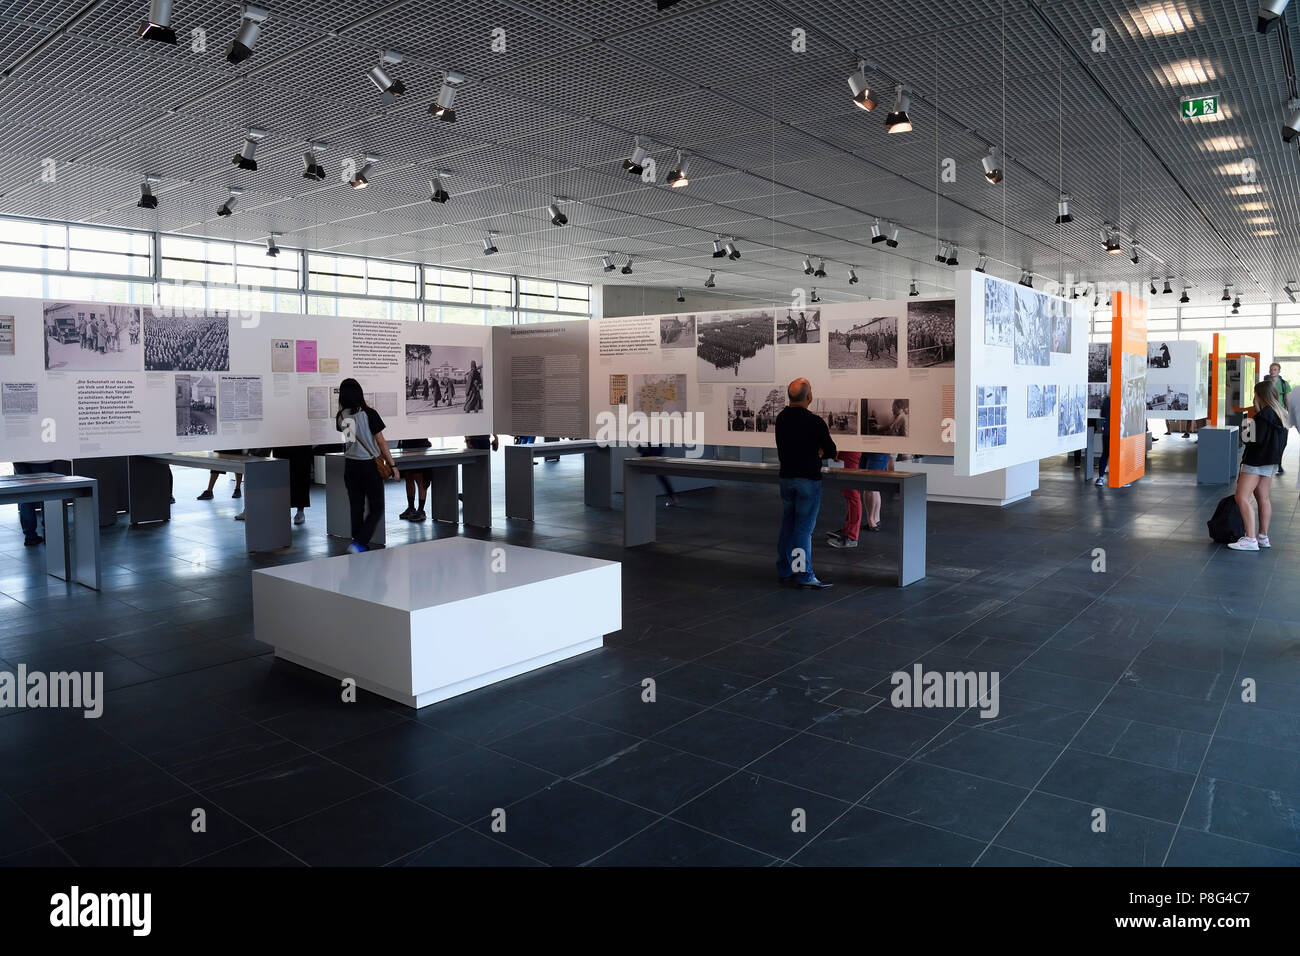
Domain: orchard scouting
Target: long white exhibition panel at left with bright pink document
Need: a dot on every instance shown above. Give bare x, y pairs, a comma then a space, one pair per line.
106, 379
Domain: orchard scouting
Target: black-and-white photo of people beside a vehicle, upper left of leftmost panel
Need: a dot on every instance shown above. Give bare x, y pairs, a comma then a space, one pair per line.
93, 338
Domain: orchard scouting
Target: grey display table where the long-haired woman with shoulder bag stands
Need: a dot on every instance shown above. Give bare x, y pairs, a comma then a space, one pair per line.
475, 468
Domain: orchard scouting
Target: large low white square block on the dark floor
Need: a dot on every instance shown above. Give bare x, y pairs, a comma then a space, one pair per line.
435, 620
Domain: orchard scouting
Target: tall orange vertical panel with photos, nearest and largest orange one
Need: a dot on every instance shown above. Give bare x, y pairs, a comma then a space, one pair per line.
1128, 390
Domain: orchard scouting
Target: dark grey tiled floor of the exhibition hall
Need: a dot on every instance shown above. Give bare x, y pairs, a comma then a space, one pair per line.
772, 738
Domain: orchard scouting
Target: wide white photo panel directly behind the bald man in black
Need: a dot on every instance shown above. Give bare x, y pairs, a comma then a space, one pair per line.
882, 371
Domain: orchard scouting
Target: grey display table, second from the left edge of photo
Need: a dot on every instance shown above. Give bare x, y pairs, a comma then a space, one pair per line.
266, 492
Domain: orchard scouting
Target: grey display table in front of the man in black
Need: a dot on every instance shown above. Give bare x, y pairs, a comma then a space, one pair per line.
639, 499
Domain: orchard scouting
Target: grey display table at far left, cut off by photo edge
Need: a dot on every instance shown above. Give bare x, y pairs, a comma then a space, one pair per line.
72, 552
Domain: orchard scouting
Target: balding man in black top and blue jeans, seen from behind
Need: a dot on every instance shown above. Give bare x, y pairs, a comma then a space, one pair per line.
803, 442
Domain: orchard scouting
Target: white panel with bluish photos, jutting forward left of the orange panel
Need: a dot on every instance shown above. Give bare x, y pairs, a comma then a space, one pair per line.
1022, 378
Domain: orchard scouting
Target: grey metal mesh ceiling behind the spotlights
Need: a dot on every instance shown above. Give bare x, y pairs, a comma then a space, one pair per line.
781, 158
